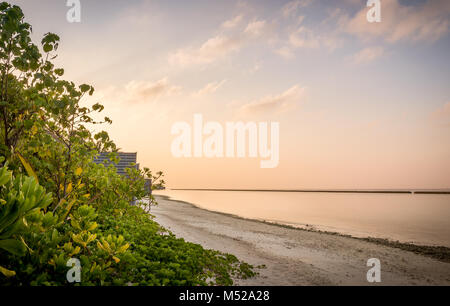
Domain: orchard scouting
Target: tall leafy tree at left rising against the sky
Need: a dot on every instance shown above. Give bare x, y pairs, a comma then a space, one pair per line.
41, 114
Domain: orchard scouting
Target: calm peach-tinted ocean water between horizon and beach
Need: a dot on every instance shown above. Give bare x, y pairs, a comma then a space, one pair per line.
421, 219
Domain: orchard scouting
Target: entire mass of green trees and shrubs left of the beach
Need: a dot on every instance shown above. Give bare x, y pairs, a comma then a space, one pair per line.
57, 204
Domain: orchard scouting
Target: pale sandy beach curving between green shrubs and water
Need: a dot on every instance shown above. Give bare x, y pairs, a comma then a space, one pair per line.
297, 257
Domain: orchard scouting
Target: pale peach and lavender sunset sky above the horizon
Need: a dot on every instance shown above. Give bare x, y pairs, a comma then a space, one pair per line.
360, 105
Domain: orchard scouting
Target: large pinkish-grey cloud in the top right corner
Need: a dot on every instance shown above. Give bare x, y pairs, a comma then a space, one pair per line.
425, 22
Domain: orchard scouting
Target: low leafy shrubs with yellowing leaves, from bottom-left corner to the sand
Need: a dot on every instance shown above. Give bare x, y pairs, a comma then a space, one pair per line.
114, 248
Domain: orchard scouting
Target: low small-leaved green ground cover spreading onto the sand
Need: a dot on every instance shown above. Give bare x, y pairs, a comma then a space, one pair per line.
157, 257
